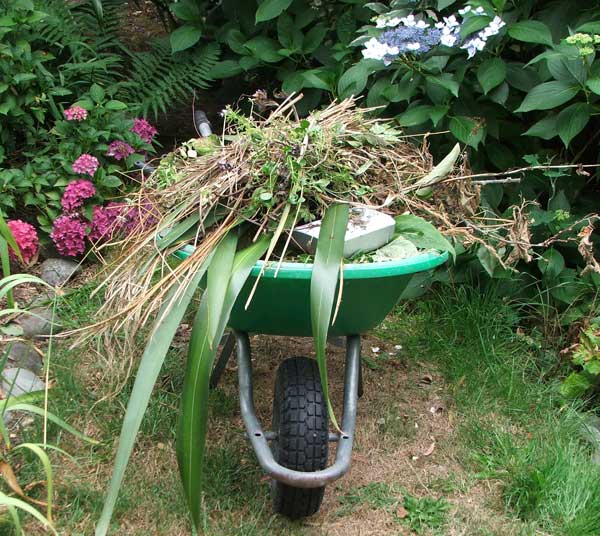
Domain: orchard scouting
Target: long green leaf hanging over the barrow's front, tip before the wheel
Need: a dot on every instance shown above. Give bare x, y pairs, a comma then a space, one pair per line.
323, 282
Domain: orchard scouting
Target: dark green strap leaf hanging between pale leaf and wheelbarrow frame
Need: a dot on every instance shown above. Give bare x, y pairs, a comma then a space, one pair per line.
194, 407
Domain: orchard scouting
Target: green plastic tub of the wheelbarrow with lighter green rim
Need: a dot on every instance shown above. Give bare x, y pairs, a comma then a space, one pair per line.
281, 305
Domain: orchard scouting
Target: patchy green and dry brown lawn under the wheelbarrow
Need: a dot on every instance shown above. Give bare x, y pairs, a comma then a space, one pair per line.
457, 434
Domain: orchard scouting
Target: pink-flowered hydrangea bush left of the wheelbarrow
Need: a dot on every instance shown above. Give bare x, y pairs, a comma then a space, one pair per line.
88, 153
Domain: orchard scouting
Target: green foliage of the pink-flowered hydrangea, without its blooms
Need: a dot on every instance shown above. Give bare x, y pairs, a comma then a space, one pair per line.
36, 187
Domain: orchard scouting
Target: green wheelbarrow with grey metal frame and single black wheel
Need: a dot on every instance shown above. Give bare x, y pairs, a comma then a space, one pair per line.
296, 458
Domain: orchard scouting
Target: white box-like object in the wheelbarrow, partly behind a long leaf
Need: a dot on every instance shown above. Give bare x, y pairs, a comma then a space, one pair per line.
367, 230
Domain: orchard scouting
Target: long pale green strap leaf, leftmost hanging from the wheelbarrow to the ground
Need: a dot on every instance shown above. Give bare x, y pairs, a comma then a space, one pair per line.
152, 360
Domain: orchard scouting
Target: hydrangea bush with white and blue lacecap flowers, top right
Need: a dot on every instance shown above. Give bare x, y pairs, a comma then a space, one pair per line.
497, 73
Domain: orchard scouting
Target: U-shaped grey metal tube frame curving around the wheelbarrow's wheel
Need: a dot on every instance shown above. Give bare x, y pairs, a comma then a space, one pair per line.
258, 439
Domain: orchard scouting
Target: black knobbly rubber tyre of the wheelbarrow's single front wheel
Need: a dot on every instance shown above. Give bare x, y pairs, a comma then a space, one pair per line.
301, 424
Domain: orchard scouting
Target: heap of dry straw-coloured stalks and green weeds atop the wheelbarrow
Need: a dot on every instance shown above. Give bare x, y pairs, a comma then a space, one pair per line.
274, 172
